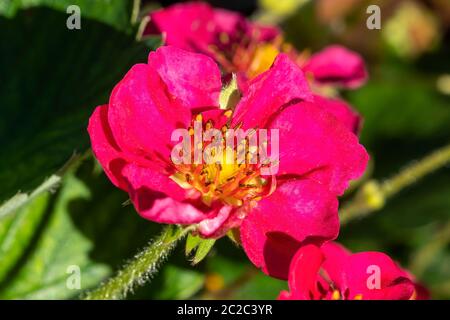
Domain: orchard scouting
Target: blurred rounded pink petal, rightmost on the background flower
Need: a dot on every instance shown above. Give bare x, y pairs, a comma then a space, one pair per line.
337, 65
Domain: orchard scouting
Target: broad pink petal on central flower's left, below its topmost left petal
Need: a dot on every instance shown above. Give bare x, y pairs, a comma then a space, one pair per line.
142, 115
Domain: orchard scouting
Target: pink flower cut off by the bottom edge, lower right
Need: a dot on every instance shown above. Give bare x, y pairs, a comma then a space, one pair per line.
333, 273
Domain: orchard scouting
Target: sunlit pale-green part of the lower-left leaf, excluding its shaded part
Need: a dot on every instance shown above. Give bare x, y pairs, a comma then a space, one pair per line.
40, 243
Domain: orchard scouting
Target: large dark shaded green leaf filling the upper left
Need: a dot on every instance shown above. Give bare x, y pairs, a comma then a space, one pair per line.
52, 79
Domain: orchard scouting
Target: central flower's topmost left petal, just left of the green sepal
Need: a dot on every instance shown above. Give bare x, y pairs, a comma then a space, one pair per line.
194, 79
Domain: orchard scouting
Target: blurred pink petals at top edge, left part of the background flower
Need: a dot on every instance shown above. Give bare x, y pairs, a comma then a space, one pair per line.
198, 27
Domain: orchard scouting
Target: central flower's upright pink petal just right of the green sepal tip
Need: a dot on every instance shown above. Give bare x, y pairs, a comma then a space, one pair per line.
268, 93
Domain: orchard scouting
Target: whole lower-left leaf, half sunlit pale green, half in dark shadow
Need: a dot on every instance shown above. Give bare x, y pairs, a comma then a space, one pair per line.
83, 224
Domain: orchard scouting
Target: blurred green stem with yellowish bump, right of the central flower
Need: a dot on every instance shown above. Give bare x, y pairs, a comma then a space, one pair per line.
372, 195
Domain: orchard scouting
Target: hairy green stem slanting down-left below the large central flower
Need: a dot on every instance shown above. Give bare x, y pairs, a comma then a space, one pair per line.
141, 268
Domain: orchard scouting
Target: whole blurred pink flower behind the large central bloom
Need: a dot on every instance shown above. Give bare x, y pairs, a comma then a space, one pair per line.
249, 49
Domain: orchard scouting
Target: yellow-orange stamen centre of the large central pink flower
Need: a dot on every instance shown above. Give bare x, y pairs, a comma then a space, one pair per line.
226, 179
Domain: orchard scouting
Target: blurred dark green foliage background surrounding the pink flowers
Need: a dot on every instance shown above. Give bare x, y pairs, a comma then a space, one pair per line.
52, 78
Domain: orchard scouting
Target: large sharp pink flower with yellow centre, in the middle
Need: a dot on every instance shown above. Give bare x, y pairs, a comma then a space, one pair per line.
318, 156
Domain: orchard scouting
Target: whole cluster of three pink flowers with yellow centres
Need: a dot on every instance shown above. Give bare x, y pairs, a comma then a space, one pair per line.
285, 219
